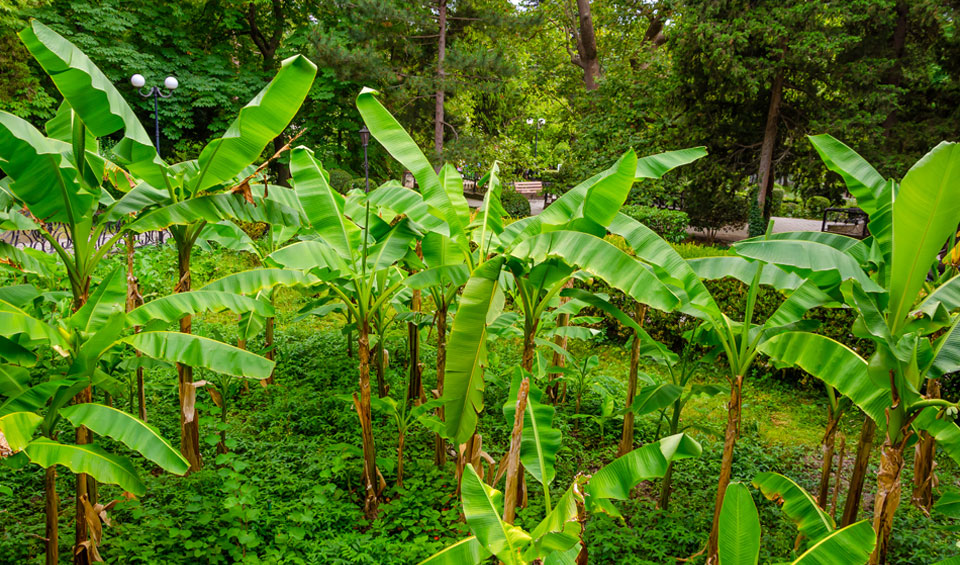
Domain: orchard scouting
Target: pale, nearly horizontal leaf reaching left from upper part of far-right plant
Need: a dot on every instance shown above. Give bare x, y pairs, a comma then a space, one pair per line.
823, 264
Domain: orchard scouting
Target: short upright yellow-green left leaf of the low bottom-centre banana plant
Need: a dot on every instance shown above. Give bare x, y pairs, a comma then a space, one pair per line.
481, 507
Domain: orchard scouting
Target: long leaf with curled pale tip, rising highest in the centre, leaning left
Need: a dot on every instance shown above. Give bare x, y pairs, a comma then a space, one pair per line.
387, 130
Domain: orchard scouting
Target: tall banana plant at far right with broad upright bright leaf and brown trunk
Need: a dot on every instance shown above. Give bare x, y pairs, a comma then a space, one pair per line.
903, 304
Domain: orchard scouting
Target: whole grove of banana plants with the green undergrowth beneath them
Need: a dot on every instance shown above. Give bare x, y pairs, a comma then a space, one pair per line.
396, 374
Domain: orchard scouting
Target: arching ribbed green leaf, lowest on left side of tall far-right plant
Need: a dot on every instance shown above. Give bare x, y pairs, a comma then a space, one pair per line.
835, 364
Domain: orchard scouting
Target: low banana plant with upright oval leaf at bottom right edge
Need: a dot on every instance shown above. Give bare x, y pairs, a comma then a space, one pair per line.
823, 541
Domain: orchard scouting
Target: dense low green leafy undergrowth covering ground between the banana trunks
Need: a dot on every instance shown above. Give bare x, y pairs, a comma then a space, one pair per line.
289, 489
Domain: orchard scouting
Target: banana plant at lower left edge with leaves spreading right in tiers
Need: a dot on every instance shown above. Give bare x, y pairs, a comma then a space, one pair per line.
83, 340
